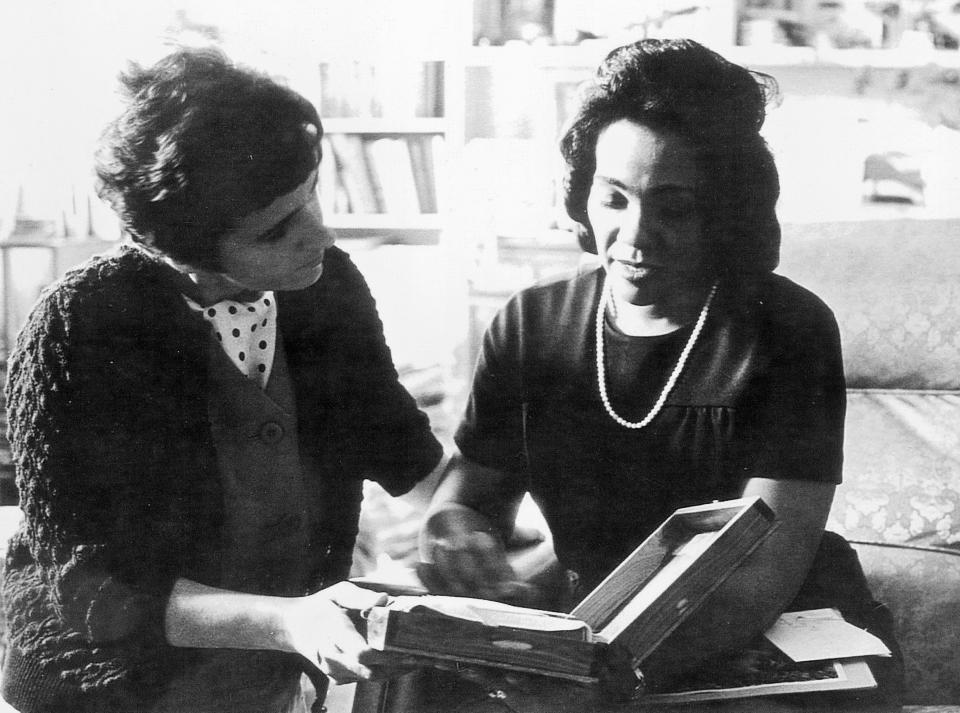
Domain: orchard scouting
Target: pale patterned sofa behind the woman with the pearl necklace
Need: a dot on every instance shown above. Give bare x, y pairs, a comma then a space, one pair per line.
894, 286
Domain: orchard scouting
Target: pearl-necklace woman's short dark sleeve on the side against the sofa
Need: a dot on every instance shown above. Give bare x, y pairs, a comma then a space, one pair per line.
791, 426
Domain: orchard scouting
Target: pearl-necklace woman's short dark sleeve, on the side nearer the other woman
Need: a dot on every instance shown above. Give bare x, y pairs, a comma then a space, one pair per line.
491, 431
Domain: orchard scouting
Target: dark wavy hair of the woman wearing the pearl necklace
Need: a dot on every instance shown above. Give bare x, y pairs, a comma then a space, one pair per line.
682, 87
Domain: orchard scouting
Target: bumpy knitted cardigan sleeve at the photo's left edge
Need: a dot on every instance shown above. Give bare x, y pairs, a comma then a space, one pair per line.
83, 528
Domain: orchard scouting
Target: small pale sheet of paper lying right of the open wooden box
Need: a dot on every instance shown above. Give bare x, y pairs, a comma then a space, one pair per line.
818, 634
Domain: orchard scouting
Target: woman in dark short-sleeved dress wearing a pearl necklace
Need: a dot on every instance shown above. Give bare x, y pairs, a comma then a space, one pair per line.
680, 371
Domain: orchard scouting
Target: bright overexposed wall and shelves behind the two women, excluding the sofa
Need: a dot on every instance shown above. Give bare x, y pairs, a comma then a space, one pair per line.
441, 121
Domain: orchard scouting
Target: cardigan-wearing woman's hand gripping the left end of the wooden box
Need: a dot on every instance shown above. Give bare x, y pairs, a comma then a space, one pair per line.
319, 628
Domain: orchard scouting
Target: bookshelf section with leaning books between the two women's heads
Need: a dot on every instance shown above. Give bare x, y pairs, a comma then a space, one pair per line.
384, 146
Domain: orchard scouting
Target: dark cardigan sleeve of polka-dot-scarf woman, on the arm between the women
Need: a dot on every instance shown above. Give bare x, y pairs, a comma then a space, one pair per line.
394, 444
